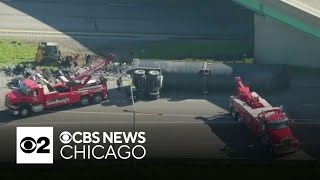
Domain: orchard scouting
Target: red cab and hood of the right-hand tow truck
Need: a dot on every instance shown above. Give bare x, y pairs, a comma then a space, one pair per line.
277, 130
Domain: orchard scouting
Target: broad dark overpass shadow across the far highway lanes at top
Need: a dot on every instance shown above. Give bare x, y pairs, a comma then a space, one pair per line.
140, 17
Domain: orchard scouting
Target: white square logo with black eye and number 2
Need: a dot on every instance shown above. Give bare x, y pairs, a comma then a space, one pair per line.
34, 145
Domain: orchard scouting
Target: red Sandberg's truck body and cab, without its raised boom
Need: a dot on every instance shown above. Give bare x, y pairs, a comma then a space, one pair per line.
33, 97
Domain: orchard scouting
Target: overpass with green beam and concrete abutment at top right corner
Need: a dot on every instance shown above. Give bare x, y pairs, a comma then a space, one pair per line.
286, 31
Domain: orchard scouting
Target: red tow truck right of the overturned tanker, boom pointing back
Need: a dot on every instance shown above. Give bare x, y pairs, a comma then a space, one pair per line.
268, 122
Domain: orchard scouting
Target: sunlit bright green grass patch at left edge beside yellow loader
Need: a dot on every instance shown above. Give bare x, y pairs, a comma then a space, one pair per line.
15, 52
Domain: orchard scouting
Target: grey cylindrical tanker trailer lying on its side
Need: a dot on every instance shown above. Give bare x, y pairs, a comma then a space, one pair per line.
210, 77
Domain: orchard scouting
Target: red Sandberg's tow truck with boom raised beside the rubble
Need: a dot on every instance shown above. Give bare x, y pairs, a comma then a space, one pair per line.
35, 97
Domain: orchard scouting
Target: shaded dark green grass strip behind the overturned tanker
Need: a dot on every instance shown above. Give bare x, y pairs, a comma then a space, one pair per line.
192, 49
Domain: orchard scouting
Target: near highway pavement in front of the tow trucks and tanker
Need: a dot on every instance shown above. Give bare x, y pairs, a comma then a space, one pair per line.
175, 128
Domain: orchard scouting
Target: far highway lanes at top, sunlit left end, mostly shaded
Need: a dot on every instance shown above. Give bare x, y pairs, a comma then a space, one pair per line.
132, 18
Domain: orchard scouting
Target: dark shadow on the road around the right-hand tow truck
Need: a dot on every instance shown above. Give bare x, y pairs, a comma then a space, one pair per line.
242, 143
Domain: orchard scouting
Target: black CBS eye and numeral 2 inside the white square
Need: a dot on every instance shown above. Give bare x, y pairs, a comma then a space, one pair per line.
29, 145
